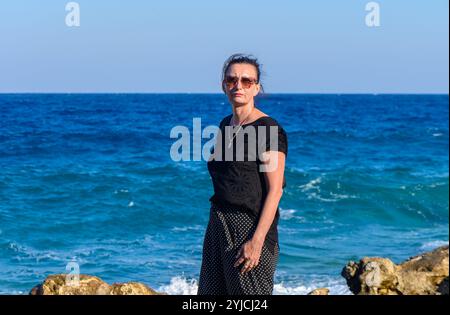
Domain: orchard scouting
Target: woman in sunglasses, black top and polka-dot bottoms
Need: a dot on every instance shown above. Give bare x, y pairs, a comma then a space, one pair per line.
240, 248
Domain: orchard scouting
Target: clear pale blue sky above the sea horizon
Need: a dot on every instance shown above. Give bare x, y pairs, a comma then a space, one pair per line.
315, 46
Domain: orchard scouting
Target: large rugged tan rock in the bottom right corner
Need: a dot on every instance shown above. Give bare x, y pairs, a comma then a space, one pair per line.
423, 274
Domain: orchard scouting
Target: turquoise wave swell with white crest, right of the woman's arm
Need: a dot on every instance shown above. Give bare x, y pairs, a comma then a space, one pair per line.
374, 194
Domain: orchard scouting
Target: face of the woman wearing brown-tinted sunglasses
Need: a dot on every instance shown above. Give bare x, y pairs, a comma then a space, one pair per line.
242, 92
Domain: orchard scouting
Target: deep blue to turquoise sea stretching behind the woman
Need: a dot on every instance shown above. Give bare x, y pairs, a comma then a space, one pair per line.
88, 178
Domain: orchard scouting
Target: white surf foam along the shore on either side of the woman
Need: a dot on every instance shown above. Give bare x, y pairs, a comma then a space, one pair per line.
181, 285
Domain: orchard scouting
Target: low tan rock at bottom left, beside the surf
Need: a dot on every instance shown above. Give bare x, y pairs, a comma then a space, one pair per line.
61, 284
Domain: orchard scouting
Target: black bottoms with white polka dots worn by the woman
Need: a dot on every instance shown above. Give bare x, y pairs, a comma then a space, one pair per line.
227, 231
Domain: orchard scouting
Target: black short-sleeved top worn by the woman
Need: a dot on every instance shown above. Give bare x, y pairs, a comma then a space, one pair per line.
240, 183
